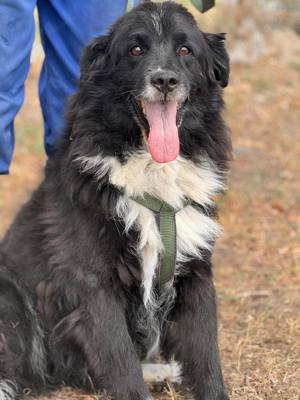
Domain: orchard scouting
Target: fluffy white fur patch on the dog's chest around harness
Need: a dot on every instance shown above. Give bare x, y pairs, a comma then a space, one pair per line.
172, 183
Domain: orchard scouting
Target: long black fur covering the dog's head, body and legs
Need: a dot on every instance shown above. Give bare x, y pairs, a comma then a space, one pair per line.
71, 291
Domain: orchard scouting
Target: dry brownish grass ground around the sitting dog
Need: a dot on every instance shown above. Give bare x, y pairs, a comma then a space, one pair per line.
257, 259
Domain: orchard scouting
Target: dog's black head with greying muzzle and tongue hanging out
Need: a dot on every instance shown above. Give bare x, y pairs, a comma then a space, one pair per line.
160, 66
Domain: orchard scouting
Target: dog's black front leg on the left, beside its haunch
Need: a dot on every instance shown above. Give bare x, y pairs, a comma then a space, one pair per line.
112, 354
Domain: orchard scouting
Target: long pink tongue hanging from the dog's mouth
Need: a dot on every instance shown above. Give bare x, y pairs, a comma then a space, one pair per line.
163, 140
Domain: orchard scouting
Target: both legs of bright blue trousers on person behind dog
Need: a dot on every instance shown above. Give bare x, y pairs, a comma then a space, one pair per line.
66, 27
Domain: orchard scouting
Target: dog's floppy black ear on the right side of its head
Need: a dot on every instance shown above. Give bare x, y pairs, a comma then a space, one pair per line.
219, 62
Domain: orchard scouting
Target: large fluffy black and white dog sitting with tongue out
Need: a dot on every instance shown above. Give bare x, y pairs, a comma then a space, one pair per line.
78, 300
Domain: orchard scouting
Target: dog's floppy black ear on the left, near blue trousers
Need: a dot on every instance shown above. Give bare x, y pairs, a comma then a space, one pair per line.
93, 56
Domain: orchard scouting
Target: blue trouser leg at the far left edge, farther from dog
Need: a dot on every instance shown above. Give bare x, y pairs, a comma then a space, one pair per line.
16, 38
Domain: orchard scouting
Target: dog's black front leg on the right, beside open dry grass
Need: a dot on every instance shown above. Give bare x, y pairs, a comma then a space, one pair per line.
191, 335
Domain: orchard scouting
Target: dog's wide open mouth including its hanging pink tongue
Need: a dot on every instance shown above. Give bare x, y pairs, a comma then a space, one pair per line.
160, 120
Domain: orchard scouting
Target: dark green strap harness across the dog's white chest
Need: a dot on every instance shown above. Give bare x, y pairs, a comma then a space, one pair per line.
167, 227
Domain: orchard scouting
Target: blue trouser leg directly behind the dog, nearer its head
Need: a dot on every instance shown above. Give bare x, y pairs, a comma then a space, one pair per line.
66, 27
